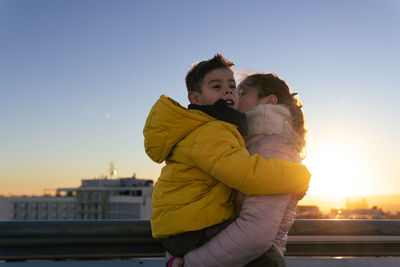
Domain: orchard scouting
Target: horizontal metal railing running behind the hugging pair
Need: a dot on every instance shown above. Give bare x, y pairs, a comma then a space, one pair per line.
107, 239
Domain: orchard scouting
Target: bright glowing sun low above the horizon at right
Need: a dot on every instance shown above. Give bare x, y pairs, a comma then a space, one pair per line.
338, 171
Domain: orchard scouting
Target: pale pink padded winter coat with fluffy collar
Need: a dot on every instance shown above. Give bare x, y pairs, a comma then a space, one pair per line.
263, 221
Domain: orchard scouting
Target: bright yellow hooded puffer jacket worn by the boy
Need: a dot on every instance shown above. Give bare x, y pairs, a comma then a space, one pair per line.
205, 158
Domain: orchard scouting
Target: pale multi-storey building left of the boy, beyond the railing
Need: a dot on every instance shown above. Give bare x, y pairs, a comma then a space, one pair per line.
95, 199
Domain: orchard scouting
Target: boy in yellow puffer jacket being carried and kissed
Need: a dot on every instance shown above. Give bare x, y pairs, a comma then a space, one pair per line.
206, 159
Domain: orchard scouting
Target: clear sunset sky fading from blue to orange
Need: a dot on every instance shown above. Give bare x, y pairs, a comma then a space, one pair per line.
78, 78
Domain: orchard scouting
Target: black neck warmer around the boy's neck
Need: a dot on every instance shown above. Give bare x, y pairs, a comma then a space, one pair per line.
222, 111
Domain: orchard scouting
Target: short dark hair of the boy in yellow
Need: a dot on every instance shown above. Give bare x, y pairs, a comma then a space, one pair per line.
196, 74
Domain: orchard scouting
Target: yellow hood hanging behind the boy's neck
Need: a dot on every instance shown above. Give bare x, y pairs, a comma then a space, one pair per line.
167, 124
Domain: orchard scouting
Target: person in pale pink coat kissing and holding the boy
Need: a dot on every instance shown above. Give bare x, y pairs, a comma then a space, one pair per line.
258, 236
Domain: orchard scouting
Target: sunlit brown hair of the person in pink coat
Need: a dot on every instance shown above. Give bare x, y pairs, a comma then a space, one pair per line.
270, 84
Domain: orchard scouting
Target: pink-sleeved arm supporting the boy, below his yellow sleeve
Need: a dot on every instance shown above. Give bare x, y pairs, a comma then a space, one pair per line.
247, 238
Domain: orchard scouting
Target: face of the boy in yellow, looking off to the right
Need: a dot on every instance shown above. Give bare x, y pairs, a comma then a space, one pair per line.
217, 84
